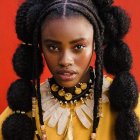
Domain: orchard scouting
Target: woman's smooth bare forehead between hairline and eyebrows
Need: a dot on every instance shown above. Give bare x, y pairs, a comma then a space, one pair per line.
71, 27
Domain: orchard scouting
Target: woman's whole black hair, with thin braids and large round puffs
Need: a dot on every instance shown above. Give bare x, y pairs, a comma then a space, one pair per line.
111, 24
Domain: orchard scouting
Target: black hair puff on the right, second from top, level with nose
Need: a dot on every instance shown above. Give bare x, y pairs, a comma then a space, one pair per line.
117, 57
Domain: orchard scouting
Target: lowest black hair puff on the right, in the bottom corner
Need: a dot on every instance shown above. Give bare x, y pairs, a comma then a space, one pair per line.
131, 124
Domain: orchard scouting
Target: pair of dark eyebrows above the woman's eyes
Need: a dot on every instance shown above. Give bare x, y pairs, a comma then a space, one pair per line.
58, 42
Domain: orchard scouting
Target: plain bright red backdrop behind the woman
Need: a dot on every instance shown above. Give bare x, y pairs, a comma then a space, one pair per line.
9, 42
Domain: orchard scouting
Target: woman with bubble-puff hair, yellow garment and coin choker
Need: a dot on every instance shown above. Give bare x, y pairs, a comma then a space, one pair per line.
77, 102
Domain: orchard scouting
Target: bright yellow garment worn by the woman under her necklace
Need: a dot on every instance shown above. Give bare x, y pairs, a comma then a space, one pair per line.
105, 130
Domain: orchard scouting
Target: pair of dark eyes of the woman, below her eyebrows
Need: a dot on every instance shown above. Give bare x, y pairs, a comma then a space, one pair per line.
56, 49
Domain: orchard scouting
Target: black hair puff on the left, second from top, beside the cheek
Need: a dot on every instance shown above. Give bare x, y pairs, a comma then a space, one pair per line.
23, 61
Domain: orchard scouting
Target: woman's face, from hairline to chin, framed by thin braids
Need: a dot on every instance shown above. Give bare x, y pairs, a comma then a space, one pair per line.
67, 45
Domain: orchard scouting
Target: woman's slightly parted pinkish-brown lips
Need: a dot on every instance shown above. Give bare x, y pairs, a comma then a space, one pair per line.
66, 75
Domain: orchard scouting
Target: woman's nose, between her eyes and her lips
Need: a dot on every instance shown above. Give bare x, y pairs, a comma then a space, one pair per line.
66, 59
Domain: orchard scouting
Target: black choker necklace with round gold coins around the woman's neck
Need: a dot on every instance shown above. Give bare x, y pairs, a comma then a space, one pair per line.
81, 91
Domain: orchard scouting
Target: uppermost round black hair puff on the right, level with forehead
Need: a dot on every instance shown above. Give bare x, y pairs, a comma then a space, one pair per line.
117, 23
